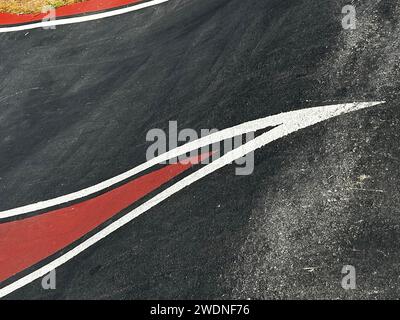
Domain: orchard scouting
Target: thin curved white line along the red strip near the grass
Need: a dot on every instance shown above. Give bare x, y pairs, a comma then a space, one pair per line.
92, 17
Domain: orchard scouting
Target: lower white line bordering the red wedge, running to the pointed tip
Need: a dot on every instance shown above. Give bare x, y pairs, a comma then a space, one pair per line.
293, 121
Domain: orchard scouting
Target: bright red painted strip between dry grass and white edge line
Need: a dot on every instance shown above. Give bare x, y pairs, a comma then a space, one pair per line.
69, 10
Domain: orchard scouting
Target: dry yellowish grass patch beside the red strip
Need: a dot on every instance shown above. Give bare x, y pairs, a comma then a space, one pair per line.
31, 6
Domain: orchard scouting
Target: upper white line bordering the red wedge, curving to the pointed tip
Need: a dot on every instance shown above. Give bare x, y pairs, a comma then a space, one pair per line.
241, 129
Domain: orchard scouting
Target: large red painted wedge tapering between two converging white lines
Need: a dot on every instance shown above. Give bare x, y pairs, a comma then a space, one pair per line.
23, 243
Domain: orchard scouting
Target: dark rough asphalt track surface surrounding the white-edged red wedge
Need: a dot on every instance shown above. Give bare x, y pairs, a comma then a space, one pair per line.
76, 104
